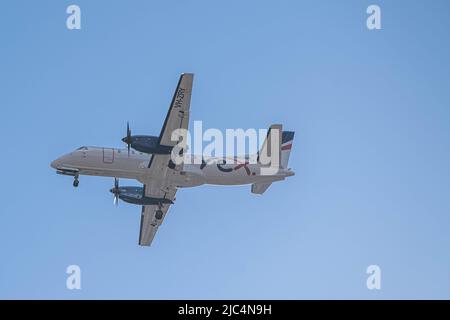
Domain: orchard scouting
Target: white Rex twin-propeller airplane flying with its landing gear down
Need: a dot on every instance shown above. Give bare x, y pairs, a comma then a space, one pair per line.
147, 159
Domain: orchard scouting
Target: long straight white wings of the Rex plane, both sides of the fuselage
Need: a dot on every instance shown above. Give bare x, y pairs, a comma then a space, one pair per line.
160, 173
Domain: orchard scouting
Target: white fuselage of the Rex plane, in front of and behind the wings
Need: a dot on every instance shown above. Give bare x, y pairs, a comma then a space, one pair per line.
111, 162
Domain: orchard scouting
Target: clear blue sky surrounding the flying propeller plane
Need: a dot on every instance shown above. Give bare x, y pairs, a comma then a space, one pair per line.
371, 151
